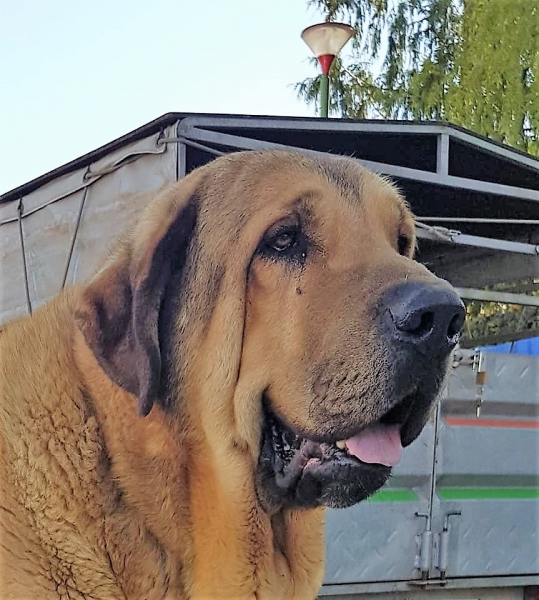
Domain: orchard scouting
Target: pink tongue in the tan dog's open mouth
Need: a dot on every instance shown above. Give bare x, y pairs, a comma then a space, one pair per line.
377, 444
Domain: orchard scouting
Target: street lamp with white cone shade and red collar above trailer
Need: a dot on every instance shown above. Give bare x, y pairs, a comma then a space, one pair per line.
326, 41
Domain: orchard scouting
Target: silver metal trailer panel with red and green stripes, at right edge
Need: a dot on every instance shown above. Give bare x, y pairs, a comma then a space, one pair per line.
483, 461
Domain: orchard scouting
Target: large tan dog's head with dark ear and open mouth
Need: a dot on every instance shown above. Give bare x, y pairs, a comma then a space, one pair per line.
273, 298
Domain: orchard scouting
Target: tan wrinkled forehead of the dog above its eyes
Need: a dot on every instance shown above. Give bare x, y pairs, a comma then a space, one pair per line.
244, 193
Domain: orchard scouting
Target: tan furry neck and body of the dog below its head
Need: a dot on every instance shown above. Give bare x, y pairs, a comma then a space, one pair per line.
102, 504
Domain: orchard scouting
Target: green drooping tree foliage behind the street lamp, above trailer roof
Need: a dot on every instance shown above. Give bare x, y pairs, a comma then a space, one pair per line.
471, 62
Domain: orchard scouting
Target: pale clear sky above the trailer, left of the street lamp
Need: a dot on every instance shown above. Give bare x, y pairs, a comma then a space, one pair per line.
76, 74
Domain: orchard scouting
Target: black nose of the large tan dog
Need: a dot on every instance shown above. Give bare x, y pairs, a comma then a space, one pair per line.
428, 315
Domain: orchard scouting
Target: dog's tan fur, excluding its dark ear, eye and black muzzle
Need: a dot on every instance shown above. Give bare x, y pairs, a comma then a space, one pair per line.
98, 502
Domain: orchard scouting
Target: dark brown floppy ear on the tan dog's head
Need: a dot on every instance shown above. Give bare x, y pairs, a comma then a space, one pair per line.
120, 309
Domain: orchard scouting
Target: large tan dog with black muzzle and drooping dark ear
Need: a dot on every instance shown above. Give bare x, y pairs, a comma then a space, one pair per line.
260, 346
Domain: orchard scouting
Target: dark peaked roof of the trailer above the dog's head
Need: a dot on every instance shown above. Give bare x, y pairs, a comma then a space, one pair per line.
406, 144
